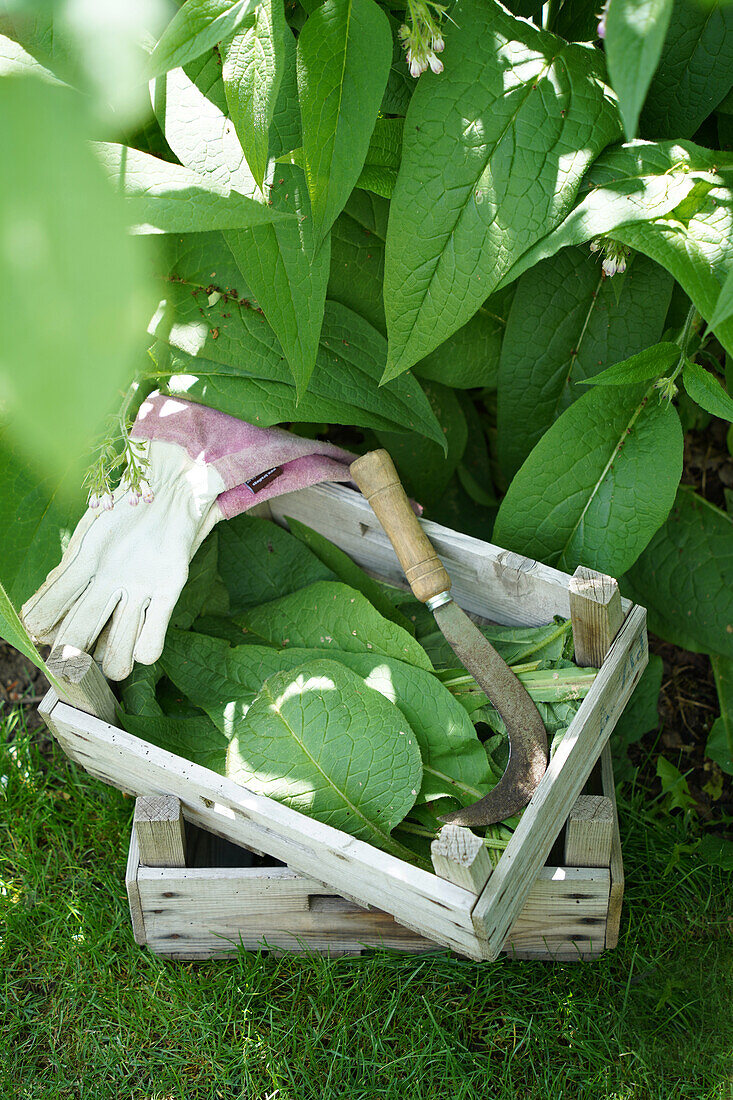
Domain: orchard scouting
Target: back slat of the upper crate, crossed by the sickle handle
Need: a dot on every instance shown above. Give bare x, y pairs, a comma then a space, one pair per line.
487, 580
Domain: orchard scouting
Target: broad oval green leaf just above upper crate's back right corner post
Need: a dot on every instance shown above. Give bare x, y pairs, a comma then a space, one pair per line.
598, 486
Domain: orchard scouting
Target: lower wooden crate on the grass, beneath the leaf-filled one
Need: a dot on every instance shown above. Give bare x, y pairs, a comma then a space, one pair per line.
195, 897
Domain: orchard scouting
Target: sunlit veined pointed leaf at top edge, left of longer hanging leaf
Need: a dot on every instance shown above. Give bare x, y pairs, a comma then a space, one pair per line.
254, 65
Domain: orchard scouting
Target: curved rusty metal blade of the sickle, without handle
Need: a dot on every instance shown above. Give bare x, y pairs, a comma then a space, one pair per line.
524, 725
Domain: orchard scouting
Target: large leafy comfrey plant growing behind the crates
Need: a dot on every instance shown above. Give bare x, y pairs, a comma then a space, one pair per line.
497, 240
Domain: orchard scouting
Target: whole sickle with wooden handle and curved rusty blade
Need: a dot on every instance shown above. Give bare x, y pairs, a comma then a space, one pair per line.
376, 476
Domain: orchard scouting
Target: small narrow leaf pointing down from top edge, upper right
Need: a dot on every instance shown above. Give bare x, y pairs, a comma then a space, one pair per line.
634, 38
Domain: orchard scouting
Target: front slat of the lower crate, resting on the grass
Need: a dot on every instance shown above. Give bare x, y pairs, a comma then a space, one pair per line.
204, 914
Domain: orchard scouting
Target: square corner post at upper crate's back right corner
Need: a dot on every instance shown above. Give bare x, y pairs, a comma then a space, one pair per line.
597, 615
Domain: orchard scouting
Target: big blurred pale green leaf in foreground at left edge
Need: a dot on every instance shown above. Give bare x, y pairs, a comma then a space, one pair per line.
75, 293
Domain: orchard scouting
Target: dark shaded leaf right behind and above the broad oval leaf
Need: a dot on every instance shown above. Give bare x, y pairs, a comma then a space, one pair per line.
567, 324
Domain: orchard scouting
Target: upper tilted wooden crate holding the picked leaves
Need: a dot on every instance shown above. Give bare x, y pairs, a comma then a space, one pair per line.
467, 906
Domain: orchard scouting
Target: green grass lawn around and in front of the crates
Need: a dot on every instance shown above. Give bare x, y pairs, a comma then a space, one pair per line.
91, 1015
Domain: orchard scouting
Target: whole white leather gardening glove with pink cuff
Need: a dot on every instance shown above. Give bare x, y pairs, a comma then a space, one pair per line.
124, 569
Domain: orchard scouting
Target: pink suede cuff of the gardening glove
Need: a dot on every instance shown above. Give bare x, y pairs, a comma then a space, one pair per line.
255, 464
